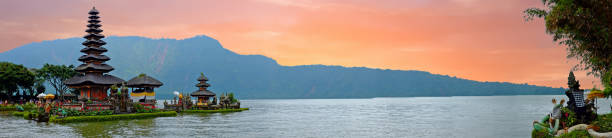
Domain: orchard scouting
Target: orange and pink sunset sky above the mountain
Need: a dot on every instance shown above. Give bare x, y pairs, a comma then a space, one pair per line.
483, 40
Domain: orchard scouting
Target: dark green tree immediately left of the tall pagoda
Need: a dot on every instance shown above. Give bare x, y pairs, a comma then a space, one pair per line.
56, 75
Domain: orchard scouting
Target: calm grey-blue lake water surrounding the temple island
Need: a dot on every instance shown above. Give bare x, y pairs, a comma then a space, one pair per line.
484, 116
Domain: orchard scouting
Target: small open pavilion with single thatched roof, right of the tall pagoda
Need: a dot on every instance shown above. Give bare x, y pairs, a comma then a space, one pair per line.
144, 88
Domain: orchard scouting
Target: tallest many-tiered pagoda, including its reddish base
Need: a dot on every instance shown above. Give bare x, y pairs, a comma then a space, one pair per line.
92, 80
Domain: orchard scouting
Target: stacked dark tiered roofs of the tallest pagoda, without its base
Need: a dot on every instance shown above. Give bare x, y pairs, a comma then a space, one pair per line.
93, 69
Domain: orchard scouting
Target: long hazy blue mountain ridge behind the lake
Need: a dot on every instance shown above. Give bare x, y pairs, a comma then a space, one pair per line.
177, 63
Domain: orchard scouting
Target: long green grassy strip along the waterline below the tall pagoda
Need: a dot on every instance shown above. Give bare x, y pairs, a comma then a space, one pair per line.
100, 118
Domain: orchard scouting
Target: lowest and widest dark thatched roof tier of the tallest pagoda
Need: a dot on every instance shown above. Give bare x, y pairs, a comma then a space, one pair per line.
93, 79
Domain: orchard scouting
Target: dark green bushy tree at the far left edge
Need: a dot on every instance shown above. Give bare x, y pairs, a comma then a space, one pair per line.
14, 77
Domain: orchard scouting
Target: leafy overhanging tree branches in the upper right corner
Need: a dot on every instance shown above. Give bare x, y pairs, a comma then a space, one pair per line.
585, 27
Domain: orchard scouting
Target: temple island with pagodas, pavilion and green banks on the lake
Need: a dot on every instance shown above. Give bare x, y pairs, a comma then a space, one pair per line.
94, 102
